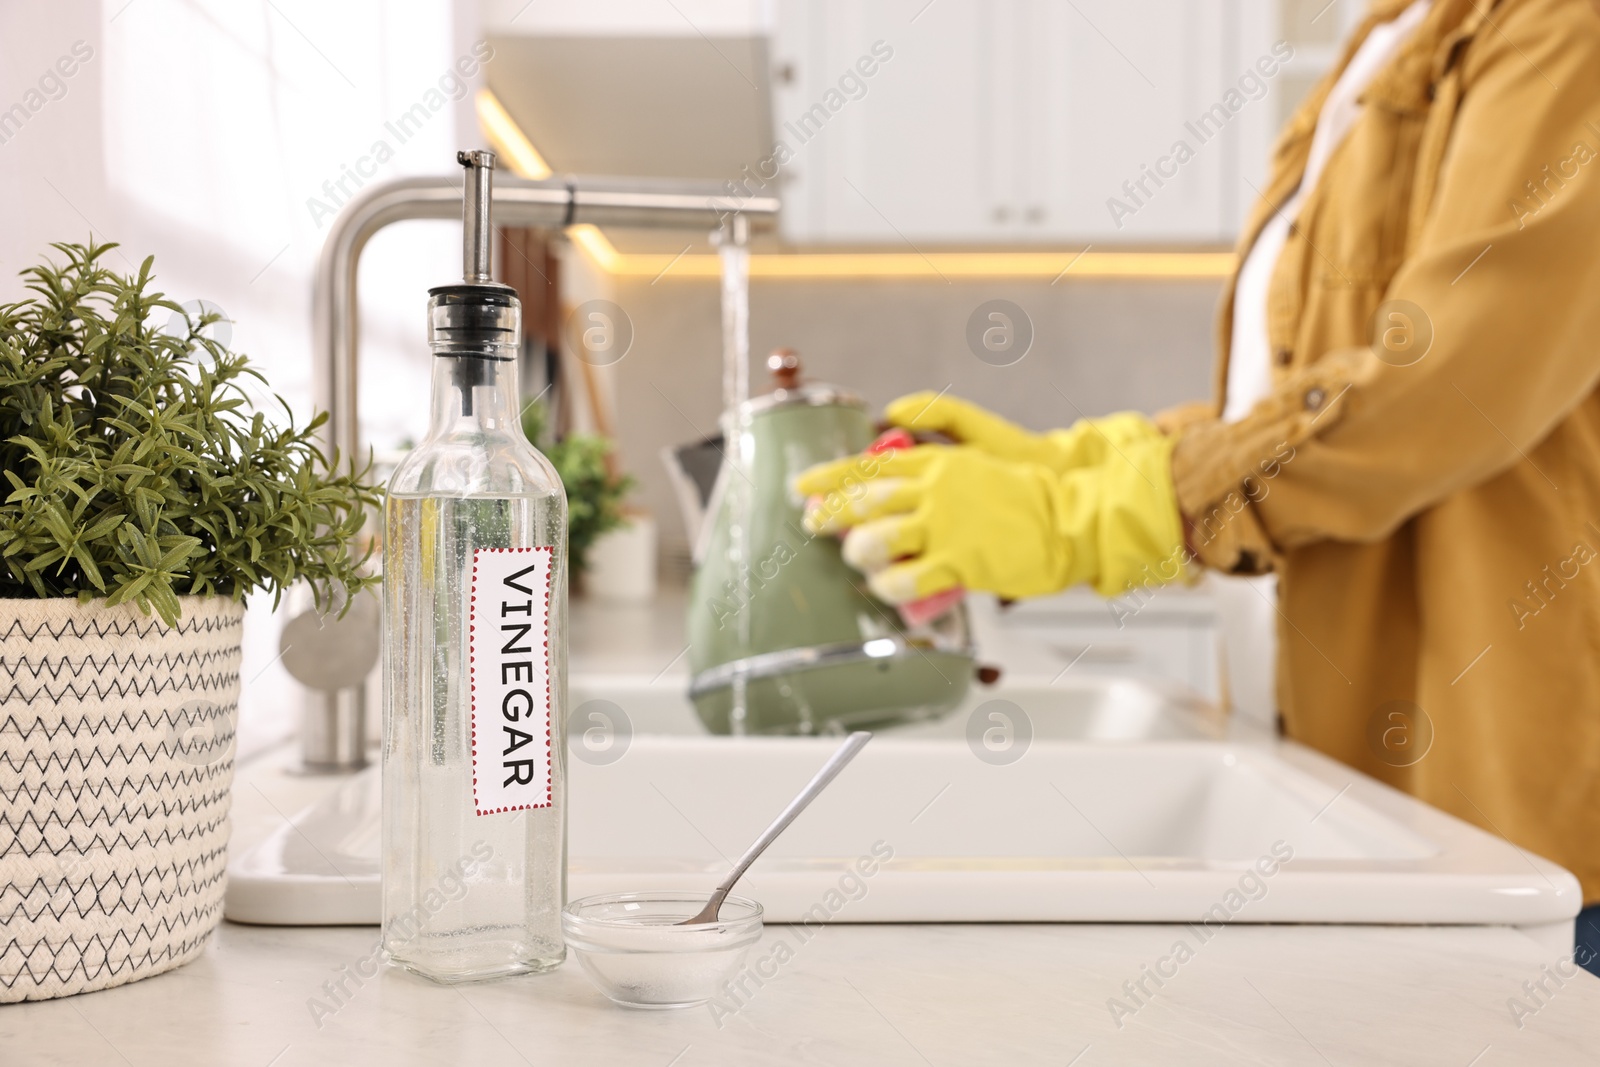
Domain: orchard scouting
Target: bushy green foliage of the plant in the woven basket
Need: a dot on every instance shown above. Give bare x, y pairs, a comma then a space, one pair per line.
134, 463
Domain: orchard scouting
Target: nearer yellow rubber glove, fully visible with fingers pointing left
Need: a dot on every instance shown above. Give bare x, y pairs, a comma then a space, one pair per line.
935, 518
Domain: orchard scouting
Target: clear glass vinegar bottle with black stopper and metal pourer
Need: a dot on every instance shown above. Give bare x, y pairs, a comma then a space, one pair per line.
474, 844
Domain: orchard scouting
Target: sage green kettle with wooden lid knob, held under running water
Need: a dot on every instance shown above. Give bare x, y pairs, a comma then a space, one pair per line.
785, 637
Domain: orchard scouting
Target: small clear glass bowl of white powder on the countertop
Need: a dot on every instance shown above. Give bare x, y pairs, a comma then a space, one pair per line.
633, 949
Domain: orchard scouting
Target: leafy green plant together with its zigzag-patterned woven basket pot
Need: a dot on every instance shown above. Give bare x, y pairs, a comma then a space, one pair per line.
143, 500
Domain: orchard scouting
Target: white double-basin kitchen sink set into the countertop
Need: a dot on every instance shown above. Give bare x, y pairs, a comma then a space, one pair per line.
1074, 831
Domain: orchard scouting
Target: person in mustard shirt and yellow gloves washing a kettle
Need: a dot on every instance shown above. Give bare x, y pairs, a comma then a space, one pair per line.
1407, 431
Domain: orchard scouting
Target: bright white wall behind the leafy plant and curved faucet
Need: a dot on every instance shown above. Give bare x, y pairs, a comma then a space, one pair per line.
201, 134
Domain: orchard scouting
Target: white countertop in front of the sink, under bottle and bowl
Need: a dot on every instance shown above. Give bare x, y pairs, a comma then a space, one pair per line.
1356, 996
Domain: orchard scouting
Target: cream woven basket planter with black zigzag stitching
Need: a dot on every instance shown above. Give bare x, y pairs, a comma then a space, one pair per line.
116, 764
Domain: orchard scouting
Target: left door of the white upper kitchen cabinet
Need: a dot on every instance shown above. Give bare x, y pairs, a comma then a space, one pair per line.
911, 154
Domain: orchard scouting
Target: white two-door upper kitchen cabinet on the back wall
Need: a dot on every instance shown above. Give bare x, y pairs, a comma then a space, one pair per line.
1017, 122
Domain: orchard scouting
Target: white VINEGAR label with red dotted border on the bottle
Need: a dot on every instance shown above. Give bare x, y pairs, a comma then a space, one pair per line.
510, 655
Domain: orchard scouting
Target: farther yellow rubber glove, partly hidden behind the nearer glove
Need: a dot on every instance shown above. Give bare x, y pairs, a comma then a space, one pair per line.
1086, 444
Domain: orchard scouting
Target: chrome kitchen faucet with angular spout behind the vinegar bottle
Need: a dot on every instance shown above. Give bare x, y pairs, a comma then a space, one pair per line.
334, 729
